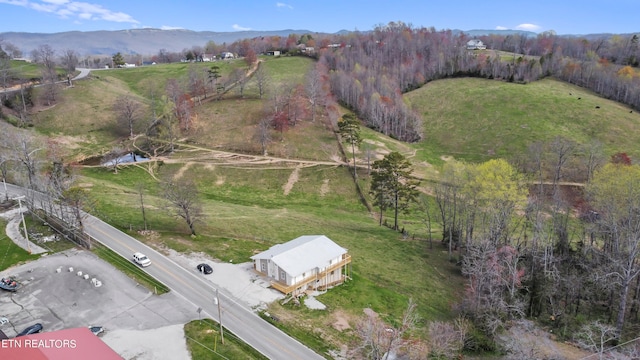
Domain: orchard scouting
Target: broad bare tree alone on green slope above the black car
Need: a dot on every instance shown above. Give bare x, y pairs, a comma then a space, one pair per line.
183, 199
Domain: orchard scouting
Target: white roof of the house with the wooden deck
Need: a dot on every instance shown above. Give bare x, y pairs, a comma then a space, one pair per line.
302, 254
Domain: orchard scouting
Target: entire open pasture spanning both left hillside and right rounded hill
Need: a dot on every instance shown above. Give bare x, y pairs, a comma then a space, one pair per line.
303, 185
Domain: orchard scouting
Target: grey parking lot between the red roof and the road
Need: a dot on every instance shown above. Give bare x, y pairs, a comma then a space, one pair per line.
58, 298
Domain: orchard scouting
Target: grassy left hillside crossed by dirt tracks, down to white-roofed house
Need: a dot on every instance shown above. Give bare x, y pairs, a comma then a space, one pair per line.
252, 202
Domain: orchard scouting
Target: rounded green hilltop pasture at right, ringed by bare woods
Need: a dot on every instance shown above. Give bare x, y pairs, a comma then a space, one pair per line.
478, 119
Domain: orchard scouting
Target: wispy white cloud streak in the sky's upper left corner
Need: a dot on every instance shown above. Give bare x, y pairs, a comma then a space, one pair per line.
74, 9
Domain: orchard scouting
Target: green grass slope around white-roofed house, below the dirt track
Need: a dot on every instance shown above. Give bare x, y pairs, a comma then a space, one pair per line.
247, 211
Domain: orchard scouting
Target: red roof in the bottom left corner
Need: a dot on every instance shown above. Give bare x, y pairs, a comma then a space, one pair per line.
77, 343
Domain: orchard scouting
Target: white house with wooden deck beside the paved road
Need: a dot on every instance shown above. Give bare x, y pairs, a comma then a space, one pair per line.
310, 262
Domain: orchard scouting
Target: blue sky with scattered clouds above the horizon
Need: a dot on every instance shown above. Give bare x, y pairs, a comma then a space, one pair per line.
562, 16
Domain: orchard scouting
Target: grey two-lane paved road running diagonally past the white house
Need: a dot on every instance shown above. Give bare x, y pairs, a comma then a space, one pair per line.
236, 317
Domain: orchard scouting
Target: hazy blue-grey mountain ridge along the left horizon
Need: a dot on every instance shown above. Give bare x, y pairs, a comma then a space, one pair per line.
135, 41
